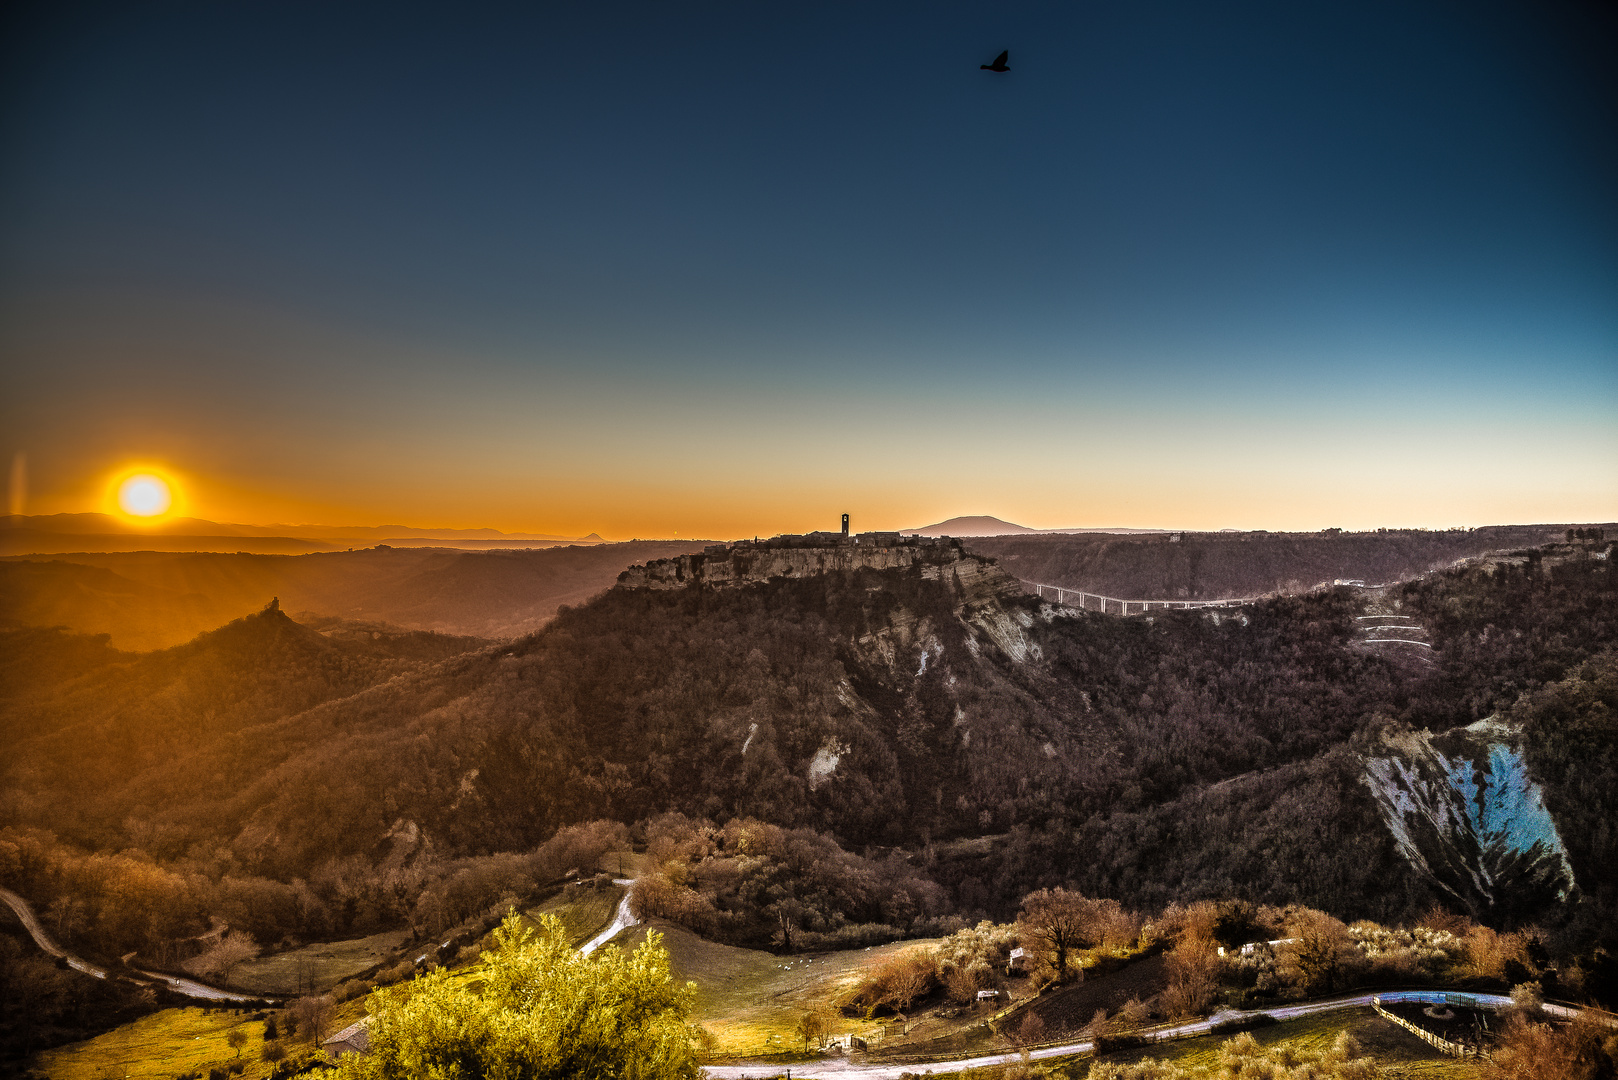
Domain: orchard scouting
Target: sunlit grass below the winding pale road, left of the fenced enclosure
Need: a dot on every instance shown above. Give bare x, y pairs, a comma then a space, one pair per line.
1402, 1055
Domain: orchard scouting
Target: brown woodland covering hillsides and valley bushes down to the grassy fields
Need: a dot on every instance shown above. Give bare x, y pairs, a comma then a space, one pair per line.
820, 765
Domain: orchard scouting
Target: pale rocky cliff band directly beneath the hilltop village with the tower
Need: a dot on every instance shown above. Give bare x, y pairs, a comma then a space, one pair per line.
792, 559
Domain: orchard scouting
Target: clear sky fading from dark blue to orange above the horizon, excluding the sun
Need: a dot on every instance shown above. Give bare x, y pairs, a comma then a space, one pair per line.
721, 270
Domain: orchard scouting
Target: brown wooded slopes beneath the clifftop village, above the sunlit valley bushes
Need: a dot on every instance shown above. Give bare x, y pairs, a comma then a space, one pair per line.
1184, 755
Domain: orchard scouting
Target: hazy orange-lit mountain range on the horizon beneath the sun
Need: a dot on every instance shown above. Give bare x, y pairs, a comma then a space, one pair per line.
57, 534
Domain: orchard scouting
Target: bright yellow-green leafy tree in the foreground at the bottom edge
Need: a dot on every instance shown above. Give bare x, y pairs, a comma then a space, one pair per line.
536, 1010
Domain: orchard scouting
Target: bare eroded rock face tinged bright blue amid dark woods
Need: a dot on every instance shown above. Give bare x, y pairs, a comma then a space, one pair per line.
1468, 817
